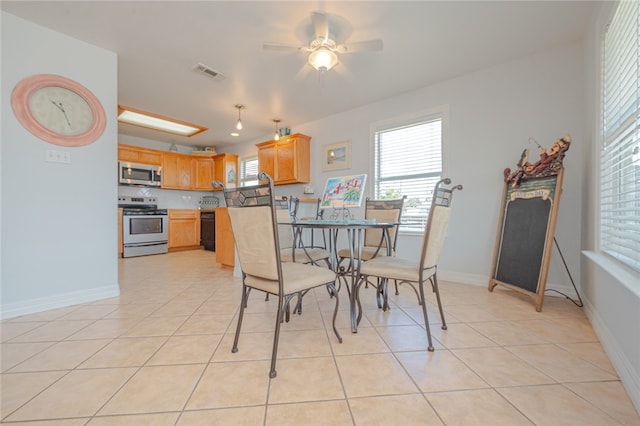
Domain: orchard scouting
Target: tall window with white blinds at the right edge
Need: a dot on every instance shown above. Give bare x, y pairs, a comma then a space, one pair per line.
620, 150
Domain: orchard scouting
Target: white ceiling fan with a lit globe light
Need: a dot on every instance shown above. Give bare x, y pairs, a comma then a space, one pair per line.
323, 47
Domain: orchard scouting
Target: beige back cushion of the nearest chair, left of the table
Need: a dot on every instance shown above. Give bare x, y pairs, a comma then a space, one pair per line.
255, 241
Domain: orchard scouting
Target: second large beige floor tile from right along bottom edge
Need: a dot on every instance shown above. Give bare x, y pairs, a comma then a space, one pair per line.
476, 407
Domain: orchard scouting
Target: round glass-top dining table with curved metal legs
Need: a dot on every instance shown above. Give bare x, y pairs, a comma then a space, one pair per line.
354, 229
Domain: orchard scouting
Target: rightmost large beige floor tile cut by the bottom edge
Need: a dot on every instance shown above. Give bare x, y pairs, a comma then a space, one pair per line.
555, 405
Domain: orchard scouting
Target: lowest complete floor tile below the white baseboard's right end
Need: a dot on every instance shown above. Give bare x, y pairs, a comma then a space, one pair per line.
154, 389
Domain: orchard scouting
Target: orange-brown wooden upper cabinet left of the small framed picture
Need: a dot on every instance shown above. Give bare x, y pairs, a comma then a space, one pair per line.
286, 160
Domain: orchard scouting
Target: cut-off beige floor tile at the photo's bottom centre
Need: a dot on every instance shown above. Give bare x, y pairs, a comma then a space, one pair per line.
324, 413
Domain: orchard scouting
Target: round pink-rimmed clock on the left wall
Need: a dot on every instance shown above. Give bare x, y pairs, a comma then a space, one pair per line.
58, 110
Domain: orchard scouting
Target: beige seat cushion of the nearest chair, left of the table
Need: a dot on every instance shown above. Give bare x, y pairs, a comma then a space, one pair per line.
295, 277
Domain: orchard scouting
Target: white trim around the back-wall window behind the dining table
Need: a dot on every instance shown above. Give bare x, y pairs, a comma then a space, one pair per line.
441, 112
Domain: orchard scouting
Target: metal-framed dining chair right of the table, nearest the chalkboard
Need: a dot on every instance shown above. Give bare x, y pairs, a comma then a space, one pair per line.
415, 272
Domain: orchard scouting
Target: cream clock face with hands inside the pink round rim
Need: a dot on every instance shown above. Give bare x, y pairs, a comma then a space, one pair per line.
61, 110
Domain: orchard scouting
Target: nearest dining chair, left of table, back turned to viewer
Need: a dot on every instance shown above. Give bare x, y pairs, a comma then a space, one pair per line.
252, 211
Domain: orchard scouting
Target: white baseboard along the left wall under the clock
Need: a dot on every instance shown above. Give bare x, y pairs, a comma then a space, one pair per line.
57, 301
